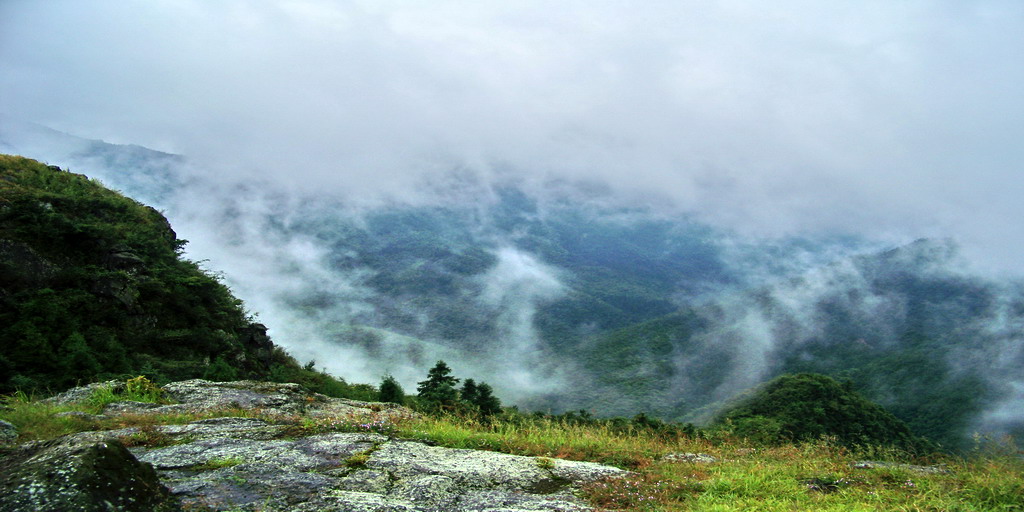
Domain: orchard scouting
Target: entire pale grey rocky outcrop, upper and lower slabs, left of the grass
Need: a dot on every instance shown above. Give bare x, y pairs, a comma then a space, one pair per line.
274, 463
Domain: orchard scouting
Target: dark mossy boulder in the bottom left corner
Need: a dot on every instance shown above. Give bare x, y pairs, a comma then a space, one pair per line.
80, 475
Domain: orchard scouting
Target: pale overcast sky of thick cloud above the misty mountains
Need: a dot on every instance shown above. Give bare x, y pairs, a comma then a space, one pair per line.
891, 119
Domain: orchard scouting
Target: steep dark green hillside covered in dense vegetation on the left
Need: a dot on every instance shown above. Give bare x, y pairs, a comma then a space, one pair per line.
94, 286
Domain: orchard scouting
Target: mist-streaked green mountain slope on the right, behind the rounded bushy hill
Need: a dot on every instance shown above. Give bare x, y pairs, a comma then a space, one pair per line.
902, 326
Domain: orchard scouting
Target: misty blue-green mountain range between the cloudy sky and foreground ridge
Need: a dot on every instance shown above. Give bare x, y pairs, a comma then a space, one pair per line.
571, 300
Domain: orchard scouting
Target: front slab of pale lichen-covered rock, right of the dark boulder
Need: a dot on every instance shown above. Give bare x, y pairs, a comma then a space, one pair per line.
237, 463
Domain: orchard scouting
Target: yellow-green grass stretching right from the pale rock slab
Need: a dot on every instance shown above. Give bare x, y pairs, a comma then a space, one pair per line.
808, 477
